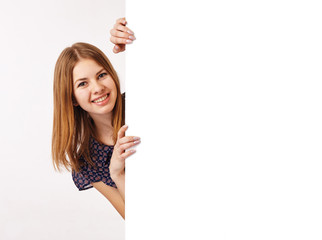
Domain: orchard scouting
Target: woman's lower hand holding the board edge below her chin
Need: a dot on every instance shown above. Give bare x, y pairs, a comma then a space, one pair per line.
123, 143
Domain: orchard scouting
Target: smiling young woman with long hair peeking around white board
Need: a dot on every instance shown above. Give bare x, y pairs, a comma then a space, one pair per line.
88, 128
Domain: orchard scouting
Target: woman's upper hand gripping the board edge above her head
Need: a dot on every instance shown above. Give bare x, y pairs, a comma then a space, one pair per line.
121, 35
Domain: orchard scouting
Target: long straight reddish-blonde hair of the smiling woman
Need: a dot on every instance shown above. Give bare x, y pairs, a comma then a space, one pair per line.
72, 126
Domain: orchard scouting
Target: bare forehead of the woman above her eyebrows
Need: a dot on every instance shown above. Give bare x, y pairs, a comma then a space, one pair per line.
86, 68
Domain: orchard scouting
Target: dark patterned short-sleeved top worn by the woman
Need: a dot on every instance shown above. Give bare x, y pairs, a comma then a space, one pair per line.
100, 156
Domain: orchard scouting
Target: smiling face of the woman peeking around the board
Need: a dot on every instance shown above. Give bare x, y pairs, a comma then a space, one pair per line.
94, 89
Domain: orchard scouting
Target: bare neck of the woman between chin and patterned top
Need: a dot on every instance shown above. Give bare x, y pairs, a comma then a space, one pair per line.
104, 128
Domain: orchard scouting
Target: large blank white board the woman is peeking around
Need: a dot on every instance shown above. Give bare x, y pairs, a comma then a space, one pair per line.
226, 96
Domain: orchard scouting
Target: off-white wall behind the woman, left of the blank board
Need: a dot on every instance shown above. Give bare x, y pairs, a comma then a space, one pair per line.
36, 202
